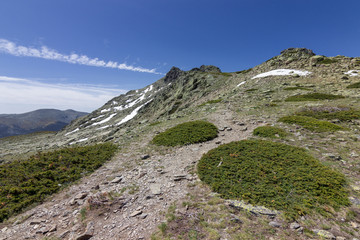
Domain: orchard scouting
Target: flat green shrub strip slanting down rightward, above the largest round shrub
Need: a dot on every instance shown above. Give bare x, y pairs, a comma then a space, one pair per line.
312, 124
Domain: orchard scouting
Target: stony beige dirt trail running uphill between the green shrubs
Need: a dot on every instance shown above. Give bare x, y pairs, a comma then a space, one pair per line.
127, 196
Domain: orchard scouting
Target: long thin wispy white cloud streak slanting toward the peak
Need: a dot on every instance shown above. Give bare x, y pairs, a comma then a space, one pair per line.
44, 52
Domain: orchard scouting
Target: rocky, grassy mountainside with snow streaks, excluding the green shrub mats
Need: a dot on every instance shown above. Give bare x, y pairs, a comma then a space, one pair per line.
153, 192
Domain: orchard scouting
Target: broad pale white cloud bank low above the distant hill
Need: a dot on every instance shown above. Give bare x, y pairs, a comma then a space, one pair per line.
20, 95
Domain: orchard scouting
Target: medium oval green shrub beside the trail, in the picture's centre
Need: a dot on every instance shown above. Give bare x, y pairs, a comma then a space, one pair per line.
186, 133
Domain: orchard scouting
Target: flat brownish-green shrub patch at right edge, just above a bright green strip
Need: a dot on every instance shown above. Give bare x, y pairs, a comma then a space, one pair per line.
330, 113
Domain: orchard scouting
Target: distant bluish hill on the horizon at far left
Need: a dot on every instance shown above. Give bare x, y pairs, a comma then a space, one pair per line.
38, 120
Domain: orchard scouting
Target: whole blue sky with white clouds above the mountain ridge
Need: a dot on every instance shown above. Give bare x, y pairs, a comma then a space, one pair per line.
79, 54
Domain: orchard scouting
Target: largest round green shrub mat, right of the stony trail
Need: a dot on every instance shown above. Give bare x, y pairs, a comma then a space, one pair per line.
274, 175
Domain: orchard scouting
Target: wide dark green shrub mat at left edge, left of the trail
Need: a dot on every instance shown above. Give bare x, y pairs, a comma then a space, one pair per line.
23, 183
